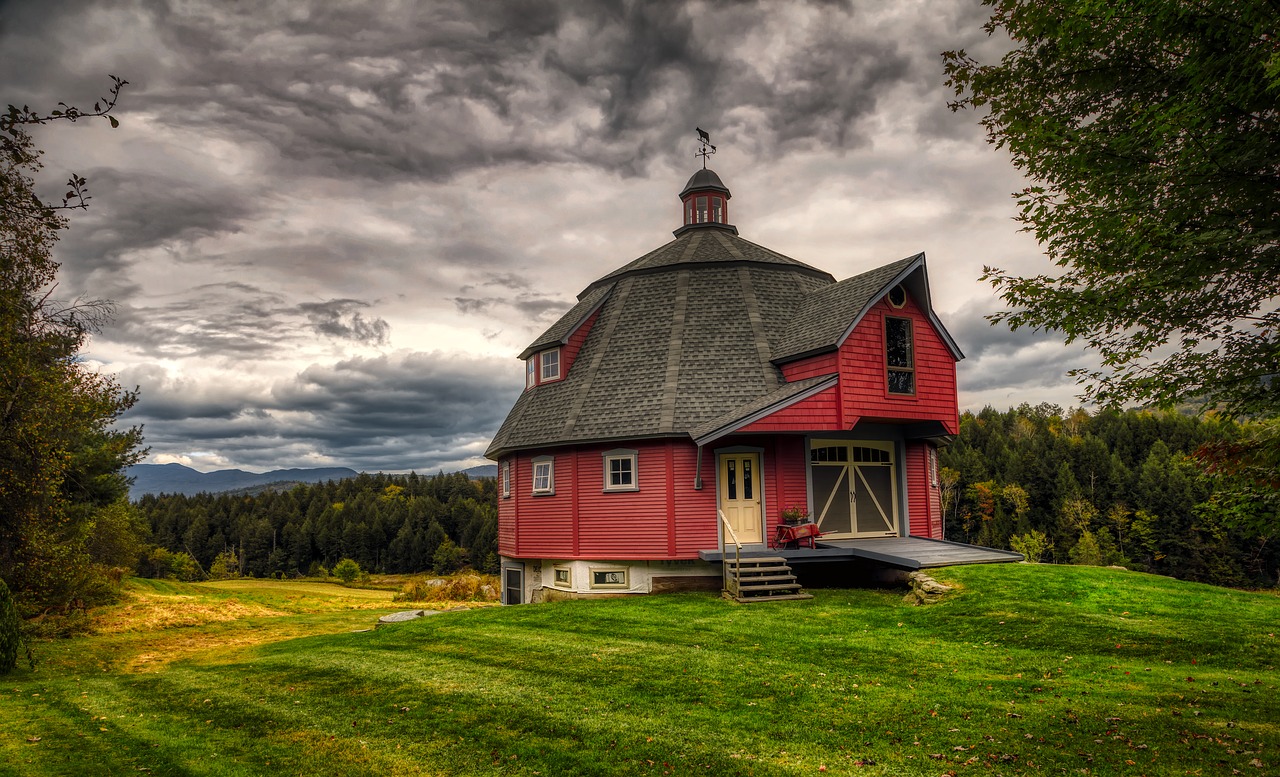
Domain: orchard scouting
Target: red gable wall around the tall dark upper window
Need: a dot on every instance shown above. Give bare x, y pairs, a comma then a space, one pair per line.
863, 373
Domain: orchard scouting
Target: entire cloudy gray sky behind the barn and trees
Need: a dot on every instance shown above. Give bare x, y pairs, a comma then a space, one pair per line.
331, 227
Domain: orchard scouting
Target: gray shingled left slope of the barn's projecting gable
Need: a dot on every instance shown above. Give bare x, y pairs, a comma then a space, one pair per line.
828, 316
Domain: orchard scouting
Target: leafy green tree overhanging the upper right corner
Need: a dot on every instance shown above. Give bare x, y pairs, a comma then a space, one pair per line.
1151, 138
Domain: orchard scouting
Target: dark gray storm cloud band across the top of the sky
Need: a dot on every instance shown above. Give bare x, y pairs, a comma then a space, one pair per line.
431, 90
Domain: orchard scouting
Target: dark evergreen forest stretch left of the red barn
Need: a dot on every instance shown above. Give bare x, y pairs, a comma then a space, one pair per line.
383, 523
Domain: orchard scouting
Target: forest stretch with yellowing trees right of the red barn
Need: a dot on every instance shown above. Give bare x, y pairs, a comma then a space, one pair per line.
1109, 488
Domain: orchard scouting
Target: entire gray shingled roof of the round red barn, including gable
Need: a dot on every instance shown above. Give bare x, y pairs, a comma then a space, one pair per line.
688, 339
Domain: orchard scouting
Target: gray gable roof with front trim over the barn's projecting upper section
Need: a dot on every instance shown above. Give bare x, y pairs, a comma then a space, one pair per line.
829, 316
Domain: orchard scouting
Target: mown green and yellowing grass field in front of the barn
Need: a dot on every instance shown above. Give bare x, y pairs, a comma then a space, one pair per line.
1026, 670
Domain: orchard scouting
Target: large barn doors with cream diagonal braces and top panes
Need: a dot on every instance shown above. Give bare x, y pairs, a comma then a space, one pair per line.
854, 488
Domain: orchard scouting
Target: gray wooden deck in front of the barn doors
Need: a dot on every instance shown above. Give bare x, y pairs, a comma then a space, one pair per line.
903, 552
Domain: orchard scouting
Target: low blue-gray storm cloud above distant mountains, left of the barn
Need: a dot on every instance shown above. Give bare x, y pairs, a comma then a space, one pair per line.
417, 412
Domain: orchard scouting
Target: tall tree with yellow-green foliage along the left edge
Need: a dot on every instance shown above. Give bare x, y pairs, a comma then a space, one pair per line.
61, 456
